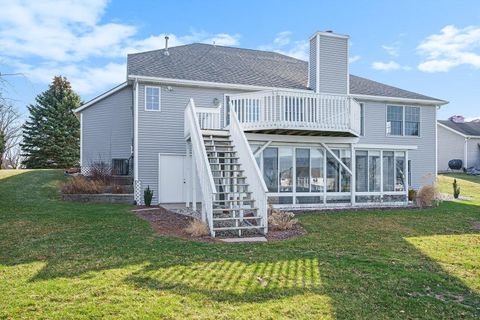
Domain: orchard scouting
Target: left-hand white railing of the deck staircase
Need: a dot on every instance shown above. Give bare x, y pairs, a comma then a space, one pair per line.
202, 165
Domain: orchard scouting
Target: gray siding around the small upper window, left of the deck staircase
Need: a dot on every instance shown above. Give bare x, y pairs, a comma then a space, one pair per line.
163, 131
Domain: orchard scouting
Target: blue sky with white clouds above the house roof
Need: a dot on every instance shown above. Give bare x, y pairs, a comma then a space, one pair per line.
430, 47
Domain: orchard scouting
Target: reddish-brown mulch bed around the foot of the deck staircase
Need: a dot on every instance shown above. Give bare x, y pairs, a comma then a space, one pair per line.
170, 224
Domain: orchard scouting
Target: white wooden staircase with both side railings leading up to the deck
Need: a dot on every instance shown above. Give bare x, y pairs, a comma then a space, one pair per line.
234, 201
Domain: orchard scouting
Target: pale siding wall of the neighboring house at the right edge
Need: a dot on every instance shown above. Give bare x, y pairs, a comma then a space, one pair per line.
450, 146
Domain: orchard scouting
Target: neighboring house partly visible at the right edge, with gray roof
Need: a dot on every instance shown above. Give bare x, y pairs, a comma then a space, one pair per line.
458, 140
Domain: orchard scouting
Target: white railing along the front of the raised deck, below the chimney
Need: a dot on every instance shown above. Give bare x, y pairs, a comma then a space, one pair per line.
277, 109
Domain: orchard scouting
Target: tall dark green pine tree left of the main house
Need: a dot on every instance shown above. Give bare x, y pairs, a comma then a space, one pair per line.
51, 135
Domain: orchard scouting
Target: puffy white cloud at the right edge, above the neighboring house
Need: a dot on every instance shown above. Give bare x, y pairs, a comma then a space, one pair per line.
450, 48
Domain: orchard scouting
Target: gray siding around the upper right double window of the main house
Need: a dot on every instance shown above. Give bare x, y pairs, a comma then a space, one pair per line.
423, 159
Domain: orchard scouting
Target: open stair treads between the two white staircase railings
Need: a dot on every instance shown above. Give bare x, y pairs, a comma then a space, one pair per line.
234, 210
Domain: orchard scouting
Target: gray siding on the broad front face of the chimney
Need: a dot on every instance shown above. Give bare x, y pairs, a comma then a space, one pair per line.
333, 64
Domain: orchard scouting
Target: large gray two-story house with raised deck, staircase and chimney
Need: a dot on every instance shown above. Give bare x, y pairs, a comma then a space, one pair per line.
236, 128
